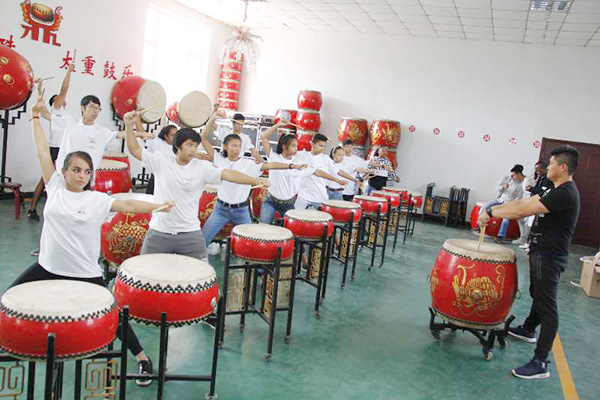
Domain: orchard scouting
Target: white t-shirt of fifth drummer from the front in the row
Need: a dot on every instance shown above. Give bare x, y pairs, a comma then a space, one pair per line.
313, 188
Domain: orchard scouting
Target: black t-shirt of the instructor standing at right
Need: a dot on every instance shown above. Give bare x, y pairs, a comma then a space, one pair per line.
553, 232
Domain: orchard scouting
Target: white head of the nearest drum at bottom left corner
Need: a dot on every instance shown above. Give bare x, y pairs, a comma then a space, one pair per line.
65, 299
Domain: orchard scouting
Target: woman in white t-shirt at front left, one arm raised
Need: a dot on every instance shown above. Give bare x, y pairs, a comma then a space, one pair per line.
70, 245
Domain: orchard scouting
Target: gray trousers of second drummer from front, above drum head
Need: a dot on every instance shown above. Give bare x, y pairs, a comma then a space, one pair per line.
190, 244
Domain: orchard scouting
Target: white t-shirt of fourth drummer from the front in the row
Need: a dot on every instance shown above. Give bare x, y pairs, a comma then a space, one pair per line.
285, 183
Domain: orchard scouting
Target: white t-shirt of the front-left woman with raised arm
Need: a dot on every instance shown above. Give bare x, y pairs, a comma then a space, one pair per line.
70, 243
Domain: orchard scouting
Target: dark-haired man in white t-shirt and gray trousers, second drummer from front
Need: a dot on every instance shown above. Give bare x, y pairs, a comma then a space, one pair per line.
180, 177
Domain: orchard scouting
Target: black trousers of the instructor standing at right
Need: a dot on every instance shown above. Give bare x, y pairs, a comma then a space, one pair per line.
544, 272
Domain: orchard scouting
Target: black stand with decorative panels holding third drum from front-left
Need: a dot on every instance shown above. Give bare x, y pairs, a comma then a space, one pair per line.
270, 292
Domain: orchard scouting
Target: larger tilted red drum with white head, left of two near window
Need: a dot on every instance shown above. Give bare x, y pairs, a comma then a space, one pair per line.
134, 92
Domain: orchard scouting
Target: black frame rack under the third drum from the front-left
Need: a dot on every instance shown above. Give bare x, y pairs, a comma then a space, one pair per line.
249, 306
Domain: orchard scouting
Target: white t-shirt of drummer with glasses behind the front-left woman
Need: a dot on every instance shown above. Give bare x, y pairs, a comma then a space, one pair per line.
92, 139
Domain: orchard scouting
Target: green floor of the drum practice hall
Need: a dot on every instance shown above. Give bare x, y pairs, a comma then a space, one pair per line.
372, 341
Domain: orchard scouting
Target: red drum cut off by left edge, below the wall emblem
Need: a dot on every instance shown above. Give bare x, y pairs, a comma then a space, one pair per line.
16, 79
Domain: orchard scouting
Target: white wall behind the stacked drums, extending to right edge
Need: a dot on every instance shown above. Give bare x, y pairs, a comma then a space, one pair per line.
505, 90
